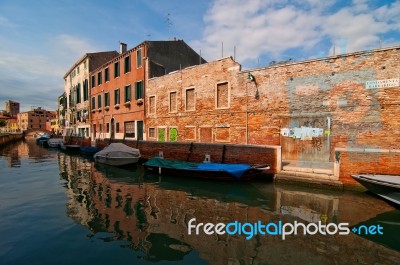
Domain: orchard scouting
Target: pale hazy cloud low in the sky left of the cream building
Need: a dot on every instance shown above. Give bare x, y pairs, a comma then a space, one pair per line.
38, 77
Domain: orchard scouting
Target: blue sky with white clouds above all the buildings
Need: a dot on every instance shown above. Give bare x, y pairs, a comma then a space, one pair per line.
41, 39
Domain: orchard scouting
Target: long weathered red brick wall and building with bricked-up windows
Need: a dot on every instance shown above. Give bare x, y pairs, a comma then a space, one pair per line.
343, 109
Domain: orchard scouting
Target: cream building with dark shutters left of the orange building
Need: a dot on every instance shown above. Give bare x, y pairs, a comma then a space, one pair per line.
76, 88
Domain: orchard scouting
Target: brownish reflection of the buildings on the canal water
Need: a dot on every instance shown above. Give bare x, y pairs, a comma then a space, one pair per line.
151, 214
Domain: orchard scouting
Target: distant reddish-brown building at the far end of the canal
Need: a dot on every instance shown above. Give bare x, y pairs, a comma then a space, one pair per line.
35, 119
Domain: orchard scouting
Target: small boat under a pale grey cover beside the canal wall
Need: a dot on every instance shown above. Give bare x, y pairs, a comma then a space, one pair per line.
118, 154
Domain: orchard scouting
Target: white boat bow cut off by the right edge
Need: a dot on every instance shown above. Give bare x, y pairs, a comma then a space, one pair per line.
386, 186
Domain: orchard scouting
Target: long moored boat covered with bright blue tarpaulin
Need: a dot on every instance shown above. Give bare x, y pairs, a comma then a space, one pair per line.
216, 171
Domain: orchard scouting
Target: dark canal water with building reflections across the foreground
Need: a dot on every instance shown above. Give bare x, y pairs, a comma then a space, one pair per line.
64, 209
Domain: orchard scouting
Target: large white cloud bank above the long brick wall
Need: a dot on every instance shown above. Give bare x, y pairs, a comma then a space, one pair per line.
274, 27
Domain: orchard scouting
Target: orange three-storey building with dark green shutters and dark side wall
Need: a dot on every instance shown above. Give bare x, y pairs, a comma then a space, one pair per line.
118, 87
